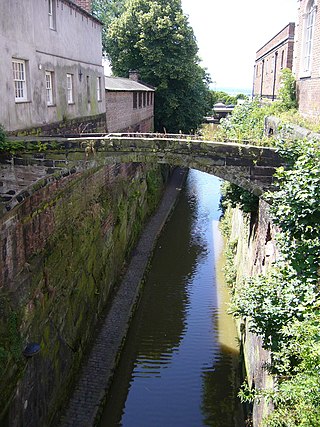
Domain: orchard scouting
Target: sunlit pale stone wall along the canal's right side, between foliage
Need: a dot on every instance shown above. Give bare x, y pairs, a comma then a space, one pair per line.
255, 251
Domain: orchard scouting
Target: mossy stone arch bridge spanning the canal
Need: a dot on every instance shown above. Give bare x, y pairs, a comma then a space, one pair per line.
43, 160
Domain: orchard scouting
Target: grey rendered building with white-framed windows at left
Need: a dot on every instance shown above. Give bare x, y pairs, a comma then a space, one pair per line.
51, 70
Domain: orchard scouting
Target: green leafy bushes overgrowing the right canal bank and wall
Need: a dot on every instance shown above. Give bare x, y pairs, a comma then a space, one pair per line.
283, 306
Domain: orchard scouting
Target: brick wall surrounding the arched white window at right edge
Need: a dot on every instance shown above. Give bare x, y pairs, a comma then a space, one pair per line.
308, 86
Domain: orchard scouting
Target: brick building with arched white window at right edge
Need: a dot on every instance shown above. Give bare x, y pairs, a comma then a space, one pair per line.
306, 66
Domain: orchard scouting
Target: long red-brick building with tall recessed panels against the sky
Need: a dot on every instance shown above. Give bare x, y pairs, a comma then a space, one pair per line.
271, 58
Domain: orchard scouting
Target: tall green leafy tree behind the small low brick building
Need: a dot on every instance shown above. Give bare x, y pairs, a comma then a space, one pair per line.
154, 37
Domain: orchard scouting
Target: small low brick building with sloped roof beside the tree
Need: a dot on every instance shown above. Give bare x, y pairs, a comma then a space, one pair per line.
129, 105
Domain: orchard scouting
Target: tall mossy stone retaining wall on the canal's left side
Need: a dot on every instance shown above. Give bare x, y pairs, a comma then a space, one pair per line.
61, 252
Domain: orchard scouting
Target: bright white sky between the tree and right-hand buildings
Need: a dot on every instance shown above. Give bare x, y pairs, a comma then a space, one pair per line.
230, 32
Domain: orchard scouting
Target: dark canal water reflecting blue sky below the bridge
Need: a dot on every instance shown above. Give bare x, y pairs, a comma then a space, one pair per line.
180, 360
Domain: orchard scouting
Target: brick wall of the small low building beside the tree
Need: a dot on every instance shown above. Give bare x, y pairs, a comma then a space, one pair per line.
122, 117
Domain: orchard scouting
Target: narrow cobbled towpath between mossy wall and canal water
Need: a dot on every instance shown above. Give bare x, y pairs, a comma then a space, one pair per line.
96, 374
